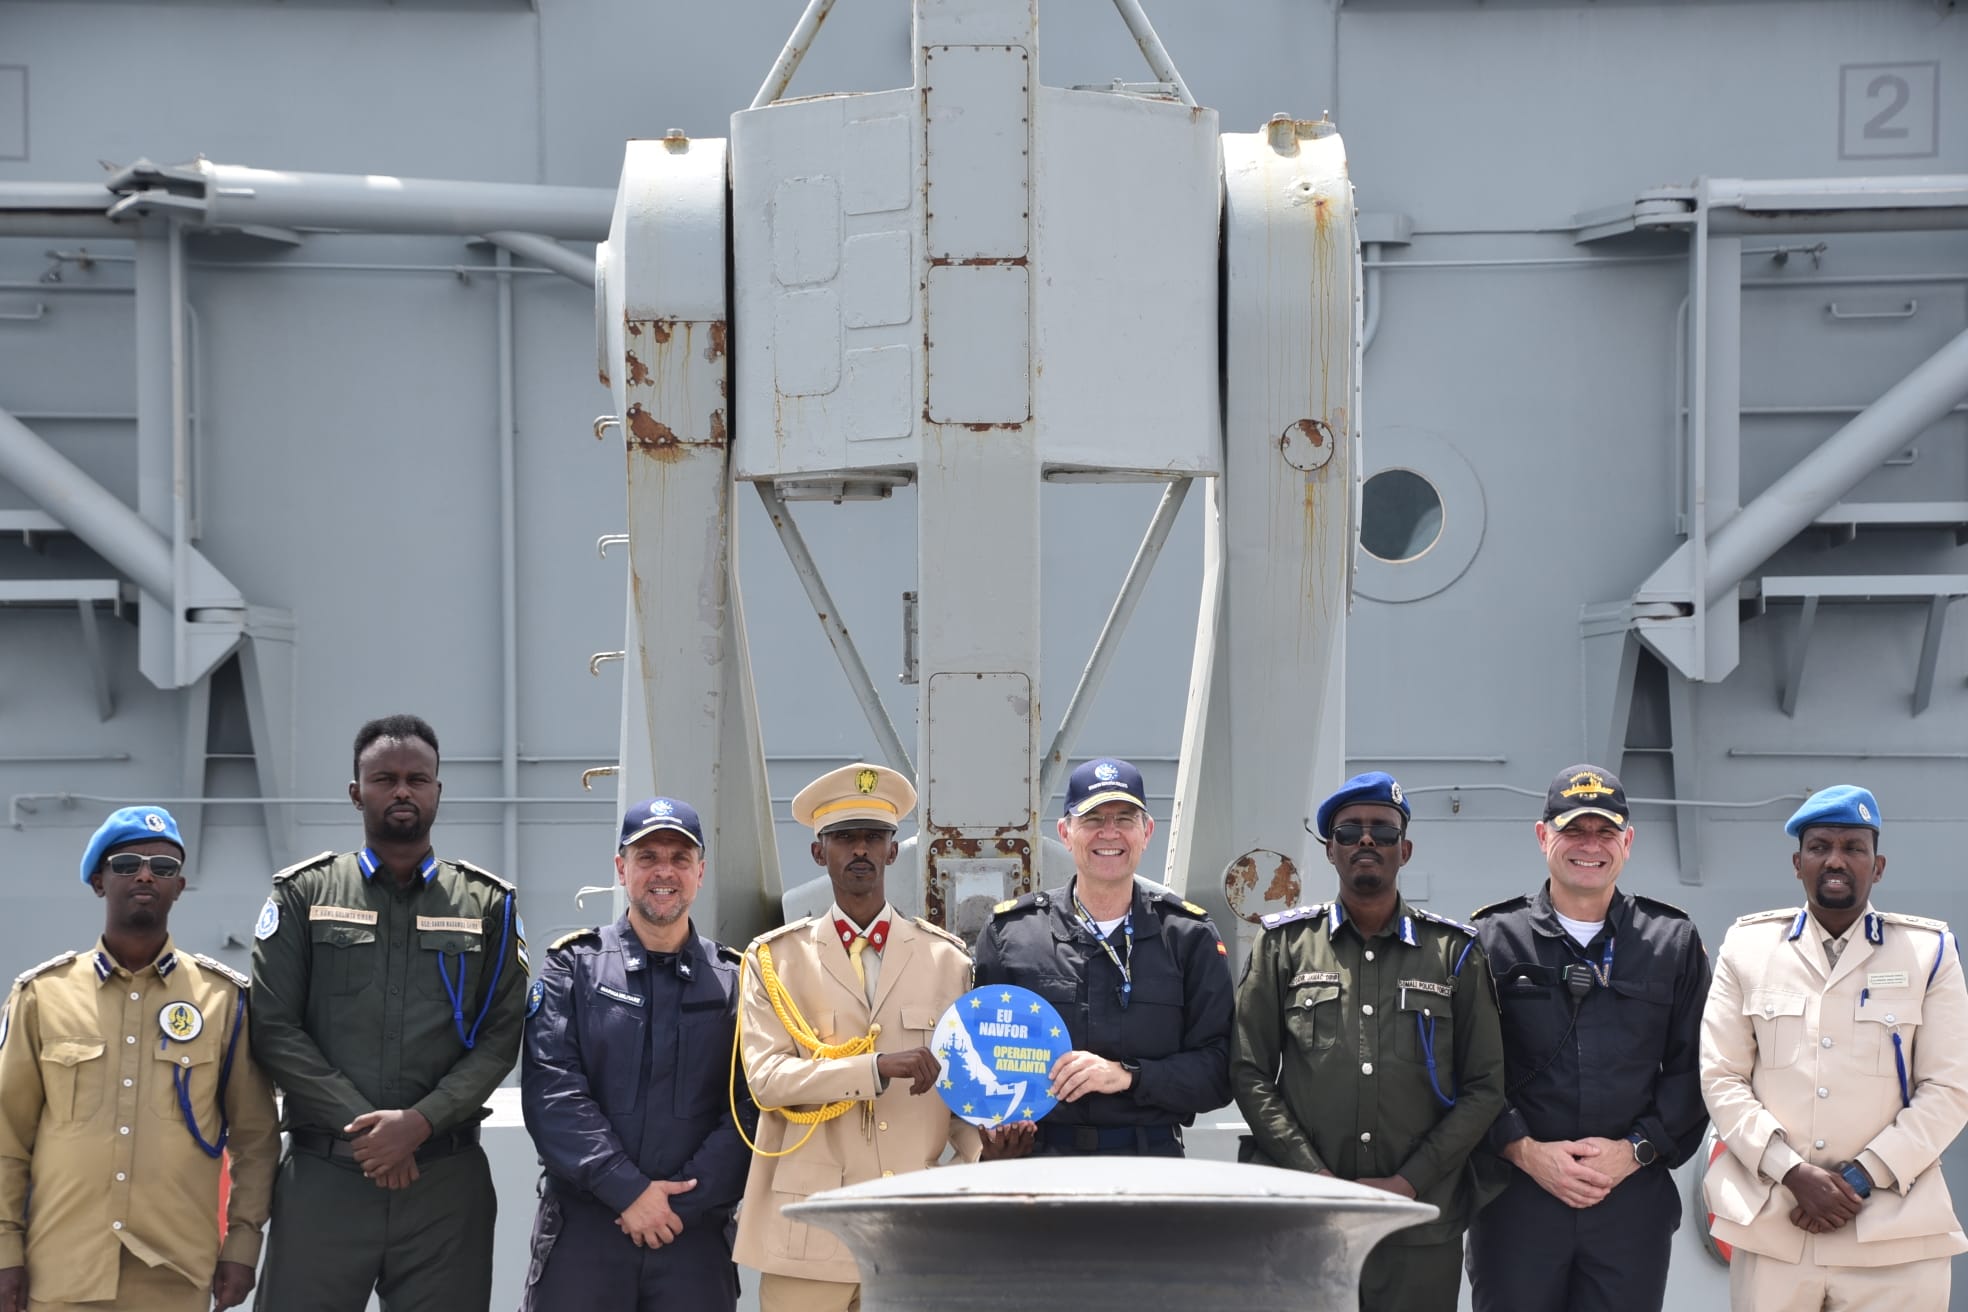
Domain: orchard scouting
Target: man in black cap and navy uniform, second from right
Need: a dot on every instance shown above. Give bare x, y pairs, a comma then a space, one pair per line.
1603, 1008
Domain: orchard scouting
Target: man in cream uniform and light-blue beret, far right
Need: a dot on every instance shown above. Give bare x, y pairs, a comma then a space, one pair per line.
1835, 1063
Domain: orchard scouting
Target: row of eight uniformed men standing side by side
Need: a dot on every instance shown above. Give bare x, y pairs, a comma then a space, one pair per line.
1532, 1077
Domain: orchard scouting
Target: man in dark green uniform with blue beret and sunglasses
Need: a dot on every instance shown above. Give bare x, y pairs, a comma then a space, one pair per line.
1369, 1047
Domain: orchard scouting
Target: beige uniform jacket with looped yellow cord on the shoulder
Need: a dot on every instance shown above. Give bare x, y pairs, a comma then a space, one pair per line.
924, 971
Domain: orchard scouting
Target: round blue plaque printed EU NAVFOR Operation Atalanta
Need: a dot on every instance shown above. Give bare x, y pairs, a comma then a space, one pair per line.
997, 1047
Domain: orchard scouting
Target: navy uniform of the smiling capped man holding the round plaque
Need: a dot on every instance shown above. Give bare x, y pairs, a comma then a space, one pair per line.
1176, 1024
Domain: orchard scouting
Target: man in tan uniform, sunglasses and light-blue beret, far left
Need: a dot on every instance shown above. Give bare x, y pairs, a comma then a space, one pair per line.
125, 1073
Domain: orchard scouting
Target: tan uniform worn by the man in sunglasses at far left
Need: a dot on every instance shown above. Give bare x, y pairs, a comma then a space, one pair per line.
92, 1063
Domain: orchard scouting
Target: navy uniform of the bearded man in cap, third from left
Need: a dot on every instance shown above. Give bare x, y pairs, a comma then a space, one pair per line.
625, 1081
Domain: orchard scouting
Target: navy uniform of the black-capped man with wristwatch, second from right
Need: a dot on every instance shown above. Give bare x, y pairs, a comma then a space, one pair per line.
1627, 1065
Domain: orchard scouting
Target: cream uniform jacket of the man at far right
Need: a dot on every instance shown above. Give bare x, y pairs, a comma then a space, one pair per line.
1800, 1063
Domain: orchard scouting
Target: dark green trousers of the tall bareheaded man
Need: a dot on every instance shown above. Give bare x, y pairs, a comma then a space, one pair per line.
336, 1236
